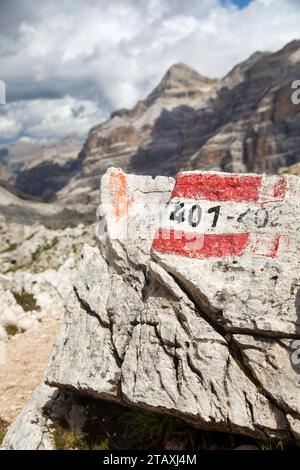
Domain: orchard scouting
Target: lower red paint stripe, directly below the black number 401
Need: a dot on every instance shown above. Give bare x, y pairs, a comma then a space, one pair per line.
193, 245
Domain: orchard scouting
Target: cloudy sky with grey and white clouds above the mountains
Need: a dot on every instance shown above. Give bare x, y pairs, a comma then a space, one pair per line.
68, 63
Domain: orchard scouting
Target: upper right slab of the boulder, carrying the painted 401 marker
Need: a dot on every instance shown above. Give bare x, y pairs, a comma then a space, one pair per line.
234, 240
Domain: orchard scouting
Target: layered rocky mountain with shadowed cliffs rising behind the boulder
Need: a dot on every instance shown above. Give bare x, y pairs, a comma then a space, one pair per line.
244, 122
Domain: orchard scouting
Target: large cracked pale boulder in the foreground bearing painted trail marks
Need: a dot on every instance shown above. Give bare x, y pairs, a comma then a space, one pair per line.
147, 326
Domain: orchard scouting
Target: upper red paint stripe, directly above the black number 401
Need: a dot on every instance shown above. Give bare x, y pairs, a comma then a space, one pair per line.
214, 187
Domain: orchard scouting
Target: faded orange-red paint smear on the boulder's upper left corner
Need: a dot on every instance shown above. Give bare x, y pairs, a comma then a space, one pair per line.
118, 187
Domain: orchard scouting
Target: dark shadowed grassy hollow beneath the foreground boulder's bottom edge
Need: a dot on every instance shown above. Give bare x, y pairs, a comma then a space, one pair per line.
114, 427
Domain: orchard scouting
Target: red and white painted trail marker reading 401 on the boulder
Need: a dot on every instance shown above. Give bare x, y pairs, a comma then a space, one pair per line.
216, 215
